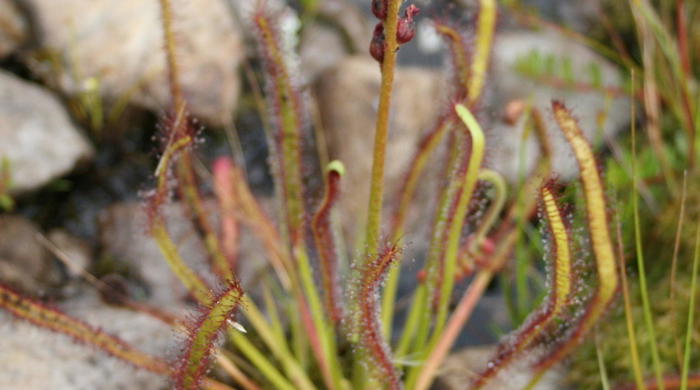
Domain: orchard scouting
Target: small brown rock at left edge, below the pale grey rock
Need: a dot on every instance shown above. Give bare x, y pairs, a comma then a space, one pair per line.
24, 263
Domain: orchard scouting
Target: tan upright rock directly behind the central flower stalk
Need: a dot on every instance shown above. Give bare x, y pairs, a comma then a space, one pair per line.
348, 97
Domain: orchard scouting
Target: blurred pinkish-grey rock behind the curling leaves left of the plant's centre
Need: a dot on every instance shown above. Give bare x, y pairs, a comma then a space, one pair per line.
124, 239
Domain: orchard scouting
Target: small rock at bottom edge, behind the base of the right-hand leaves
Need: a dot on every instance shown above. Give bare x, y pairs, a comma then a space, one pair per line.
460, 367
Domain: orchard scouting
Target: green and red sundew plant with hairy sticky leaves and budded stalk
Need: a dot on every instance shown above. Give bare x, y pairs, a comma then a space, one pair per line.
319, 326
